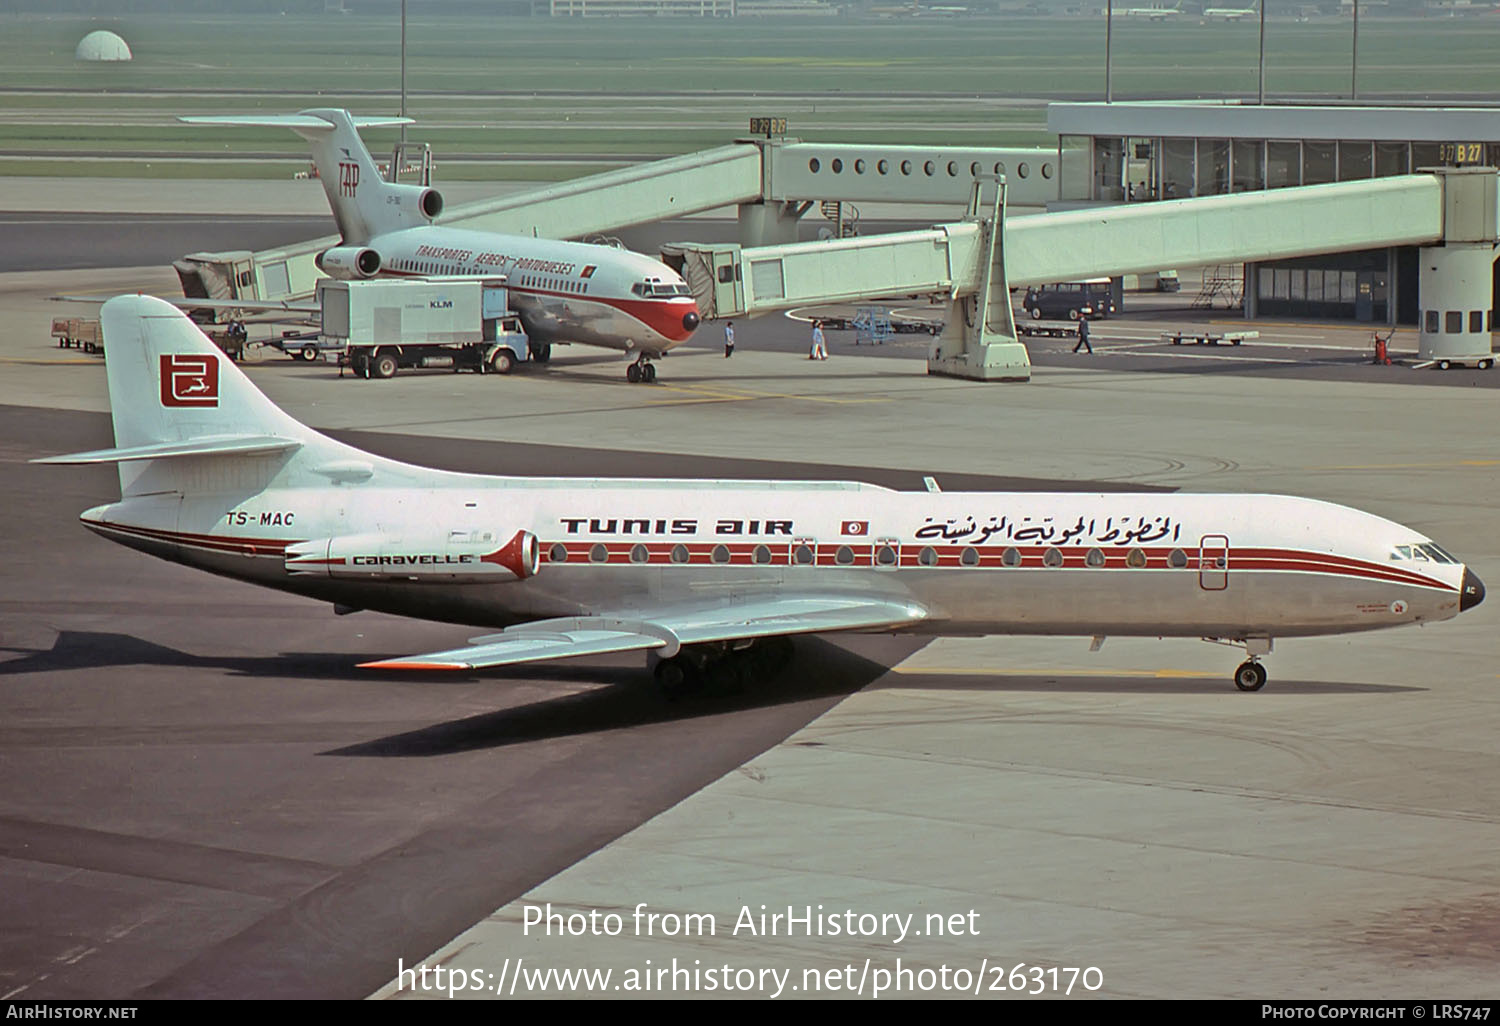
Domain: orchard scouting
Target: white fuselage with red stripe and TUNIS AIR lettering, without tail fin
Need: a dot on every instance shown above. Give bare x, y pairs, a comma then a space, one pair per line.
1160, 565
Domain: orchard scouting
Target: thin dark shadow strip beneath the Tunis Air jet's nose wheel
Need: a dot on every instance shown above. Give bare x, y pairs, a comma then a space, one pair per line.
1117, 685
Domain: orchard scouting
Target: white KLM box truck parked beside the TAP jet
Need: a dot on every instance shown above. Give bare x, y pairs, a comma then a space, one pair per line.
460, 323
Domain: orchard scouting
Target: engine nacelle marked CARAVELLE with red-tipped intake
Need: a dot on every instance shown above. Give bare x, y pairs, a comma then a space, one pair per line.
458, 557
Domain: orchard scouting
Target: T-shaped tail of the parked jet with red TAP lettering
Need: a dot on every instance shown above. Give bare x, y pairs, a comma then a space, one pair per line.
364, 203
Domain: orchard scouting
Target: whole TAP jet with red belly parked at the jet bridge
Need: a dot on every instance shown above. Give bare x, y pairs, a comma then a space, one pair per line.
565, 292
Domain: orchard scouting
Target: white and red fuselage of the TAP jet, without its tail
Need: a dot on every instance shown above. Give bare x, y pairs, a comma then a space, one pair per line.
563, 292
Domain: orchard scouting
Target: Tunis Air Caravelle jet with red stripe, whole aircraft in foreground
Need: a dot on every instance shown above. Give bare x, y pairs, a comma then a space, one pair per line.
712, 578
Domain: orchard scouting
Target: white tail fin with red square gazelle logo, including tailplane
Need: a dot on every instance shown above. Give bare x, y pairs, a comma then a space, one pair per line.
176, 397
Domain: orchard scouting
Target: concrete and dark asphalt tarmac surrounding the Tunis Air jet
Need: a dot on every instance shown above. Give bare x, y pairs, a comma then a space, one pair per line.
212, 802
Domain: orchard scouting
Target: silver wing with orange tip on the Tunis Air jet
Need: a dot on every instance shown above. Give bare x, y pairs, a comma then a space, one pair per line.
668, 629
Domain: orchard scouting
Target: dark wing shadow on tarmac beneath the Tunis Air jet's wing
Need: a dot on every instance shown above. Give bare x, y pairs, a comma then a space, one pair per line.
820, 670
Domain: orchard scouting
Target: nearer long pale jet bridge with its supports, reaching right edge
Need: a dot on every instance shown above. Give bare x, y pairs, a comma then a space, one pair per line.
1451, 214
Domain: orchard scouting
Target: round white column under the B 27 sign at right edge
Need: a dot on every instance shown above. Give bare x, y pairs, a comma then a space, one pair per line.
1456, 283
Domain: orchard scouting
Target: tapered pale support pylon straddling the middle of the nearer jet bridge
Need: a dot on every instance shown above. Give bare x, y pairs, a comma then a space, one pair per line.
979, 340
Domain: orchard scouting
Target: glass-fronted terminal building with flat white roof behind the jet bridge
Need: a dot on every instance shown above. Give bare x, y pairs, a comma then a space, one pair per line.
1145, 152
